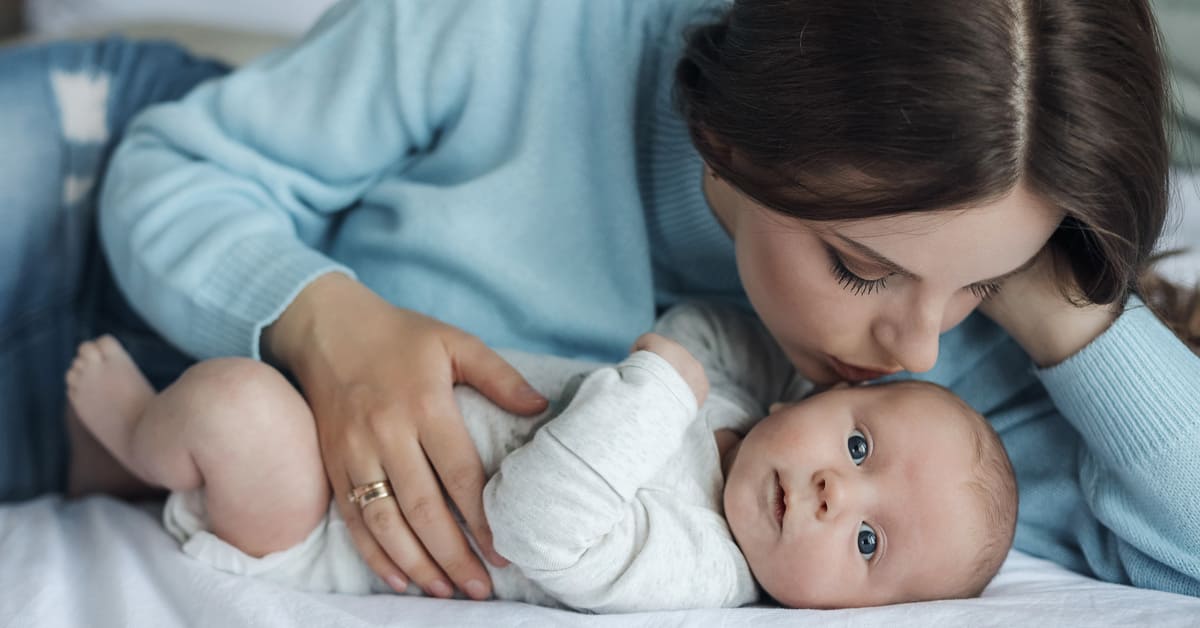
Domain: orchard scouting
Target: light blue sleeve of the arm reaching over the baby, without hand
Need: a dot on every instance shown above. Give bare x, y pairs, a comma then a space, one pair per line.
217, 210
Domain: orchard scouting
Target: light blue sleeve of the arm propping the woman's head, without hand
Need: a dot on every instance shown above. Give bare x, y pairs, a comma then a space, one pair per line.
1135, 398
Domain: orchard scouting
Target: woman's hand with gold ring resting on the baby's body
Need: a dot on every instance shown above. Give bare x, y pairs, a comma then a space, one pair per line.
380, 380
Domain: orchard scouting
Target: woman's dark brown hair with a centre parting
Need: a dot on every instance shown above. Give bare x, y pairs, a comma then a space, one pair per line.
860, 109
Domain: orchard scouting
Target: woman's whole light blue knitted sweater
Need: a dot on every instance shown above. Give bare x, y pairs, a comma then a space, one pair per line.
517, 169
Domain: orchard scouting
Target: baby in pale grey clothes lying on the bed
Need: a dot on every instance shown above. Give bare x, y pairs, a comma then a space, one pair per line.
633, 492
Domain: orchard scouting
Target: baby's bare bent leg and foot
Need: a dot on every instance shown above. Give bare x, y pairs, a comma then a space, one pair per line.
233, 426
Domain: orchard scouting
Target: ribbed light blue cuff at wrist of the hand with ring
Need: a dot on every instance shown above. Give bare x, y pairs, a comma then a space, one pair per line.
250, 289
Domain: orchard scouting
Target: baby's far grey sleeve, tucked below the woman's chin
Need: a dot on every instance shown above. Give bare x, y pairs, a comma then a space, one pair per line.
747, 369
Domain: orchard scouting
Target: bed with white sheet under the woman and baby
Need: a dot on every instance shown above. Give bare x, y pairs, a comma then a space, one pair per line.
103, 563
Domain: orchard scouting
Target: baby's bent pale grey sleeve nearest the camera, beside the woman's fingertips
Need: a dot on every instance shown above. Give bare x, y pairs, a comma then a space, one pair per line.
569, 511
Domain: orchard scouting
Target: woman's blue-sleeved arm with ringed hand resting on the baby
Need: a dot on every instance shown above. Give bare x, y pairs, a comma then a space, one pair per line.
218, 210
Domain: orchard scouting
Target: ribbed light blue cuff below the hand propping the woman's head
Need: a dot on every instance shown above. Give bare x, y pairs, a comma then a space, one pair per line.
1130, 392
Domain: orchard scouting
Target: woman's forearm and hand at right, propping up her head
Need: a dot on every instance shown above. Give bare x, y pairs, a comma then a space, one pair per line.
1132, 393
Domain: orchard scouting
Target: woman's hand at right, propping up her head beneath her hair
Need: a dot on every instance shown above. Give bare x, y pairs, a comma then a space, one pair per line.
1033, 307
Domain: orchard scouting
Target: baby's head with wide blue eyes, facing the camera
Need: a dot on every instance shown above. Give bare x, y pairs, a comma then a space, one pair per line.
875, 495
